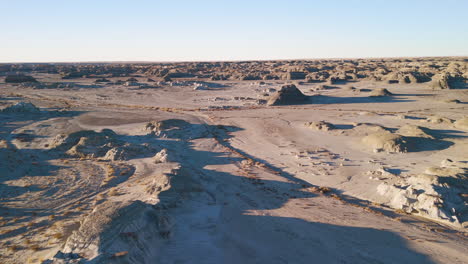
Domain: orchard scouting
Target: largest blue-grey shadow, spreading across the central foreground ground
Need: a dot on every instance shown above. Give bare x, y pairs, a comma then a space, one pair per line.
236, 236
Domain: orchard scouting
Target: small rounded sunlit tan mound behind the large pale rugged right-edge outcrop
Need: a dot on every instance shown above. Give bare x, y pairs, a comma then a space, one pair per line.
385, 141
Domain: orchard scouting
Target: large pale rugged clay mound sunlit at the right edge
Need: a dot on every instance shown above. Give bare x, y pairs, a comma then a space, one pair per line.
437, 193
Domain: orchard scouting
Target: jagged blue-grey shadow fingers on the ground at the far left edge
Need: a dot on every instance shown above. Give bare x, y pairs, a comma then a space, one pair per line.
17, 163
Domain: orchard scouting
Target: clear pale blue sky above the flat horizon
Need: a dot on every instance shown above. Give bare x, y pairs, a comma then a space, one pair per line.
208, 30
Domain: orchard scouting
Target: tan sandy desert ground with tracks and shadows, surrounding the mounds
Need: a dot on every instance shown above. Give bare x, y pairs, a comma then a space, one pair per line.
241, 182
